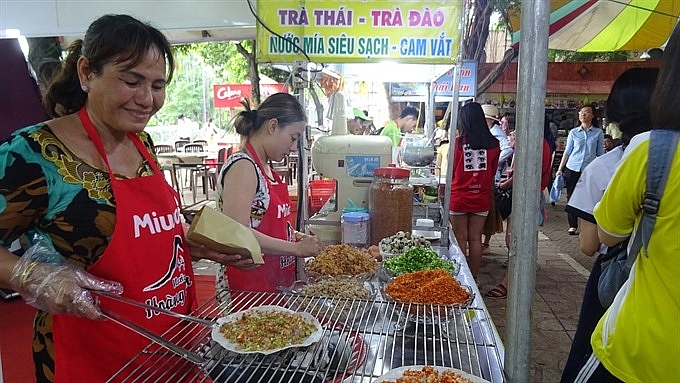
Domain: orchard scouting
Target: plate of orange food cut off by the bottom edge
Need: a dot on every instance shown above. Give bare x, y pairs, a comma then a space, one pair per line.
429, 374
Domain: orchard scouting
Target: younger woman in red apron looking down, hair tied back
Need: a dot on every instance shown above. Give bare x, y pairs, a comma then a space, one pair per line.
254, 195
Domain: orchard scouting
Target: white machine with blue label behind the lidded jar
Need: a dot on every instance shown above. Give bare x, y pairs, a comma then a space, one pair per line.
350, 161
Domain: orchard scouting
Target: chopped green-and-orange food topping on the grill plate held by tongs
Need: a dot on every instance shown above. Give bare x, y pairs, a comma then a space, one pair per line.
267, 330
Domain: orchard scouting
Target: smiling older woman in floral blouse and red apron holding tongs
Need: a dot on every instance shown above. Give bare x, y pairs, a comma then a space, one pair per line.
89, 185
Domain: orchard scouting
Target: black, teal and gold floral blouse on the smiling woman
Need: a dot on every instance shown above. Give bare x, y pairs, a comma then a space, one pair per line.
46, 189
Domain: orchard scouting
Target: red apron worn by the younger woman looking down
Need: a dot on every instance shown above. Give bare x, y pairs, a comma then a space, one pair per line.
277, 270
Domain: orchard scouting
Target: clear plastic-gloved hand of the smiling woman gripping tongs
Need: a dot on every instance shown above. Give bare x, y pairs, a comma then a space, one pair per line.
60, 289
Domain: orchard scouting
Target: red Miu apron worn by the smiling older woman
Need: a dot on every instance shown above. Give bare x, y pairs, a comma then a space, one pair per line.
149, 255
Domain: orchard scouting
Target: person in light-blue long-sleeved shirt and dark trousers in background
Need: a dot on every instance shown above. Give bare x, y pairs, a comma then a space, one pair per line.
584, 143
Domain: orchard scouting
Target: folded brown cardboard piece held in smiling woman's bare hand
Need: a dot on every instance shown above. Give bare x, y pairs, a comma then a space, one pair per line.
221, 233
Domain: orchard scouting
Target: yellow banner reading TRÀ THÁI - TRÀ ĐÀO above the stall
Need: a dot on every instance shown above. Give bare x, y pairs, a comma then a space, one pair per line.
359, 31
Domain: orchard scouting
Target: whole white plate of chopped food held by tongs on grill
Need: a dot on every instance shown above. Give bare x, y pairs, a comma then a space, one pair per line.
266, 330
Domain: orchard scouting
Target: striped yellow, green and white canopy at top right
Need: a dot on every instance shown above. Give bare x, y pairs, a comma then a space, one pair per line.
607, 25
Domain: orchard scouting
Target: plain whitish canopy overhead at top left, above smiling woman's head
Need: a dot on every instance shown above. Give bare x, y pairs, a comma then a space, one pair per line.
181, 21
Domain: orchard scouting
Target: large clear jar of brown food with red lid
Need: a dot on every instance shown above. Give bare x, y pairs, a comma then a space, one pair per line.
390, 203
